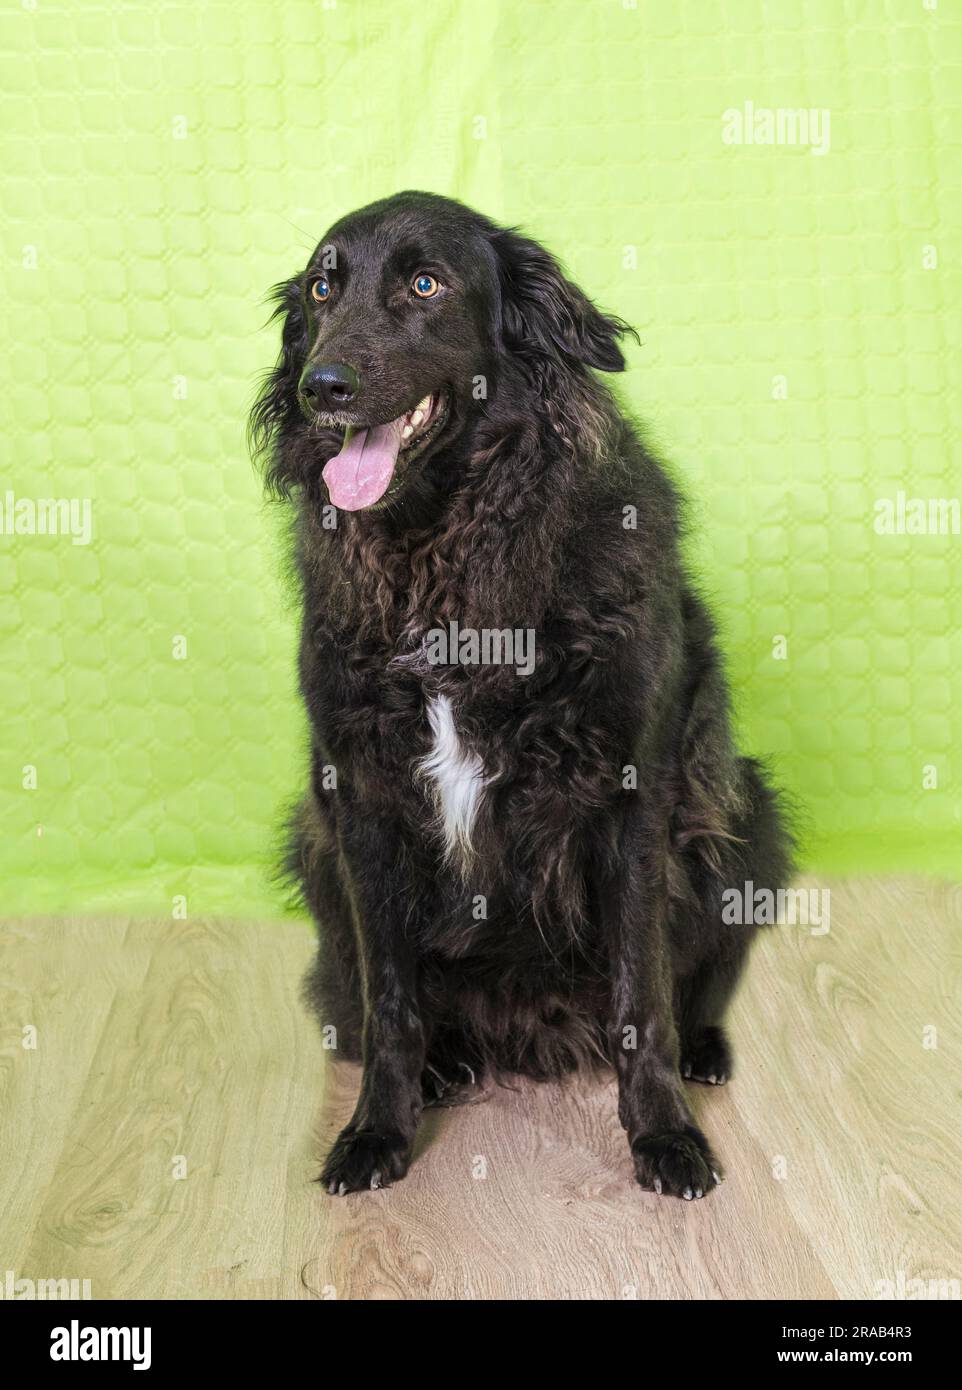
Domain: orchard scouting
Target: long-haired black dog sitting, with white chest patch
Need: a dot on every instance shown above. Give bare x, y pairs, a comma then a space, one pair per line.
516, 862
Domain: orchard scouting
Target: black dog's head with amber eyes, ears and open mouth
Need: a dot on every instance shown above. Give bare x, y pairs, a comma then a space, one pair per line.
405, 322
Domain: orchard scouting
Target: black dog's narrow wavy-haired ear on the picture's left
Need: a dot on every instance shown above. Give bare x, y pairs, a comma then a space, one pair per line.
277, 411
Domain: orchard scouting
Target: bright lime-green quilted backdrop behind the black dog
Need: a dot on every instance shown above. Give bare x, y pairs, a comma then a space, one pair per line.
163, 165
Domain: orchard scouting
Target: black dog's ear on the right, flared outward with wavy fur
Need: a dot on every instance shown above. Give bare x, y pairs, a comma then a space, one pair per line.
544, 315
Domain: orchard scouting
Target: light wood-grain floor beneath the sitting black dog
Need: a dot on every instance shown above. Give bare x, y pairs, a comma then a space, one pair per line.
184, 1043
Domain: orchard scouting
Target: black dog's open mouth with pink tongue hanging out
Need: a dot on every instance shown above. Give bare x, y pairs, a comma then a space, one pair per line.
362, 473
